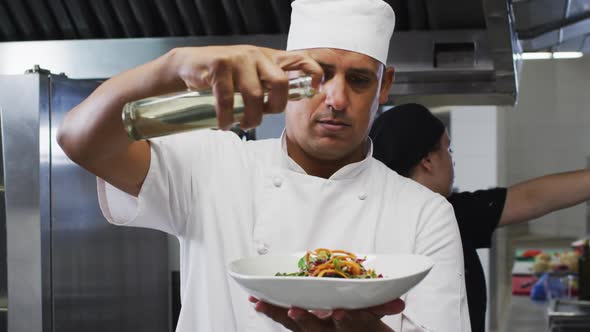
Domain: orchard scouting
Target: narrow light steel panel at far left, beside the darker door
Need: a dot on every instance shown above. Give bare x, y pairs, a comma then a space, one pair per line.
19, 100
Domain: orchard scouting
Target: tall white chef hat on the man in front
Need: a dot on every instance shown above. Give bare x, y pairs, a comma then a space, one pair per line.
362, 26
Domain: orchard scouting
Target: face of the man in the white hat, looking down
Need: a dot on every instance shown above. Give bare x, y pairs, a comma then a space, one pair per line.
335, 123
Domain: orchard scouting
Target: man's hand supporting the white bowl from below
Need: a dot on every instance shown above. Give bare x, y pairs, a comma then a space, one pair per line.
300, 320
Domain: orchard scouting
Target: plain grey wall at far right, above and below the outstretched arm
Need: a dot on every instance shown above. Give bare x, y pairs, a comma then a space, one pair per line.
549, 132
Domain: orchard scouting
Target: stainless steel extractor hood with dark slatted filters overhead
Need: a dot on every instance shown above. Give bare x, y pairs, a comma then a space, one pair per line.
442, 55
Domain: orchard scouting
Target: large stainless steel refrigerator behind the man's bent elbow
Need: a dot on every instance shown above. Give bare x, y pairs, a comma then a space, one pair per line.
62, 266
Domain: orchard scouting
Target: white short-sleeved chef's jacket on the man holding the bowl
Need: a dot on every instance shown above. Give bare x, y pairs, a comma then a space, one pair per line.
225, 199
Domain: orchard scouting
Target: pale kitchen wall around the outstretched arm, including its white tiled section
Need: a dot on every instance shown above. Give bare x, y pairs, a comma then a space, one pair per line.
547, 132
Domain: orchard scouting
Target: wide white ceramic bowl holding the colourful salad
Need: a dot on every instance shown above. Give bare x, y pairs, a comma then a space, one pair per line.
257, 276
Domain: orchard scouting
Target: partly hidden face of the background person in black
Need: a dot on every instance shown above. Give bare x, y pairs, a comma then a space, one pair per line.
444, 166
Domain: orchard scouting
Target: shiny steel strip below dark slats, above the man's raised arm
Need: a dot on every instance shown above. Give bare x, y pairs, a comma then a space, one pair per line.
102, 58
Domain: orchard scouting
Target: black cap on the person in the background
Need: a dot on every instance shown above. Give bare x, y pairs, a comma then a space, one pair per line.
404, 135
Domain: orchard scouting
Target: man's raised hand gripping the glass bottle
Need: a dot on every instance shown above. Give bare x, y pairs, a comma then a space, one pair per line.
248, 69
